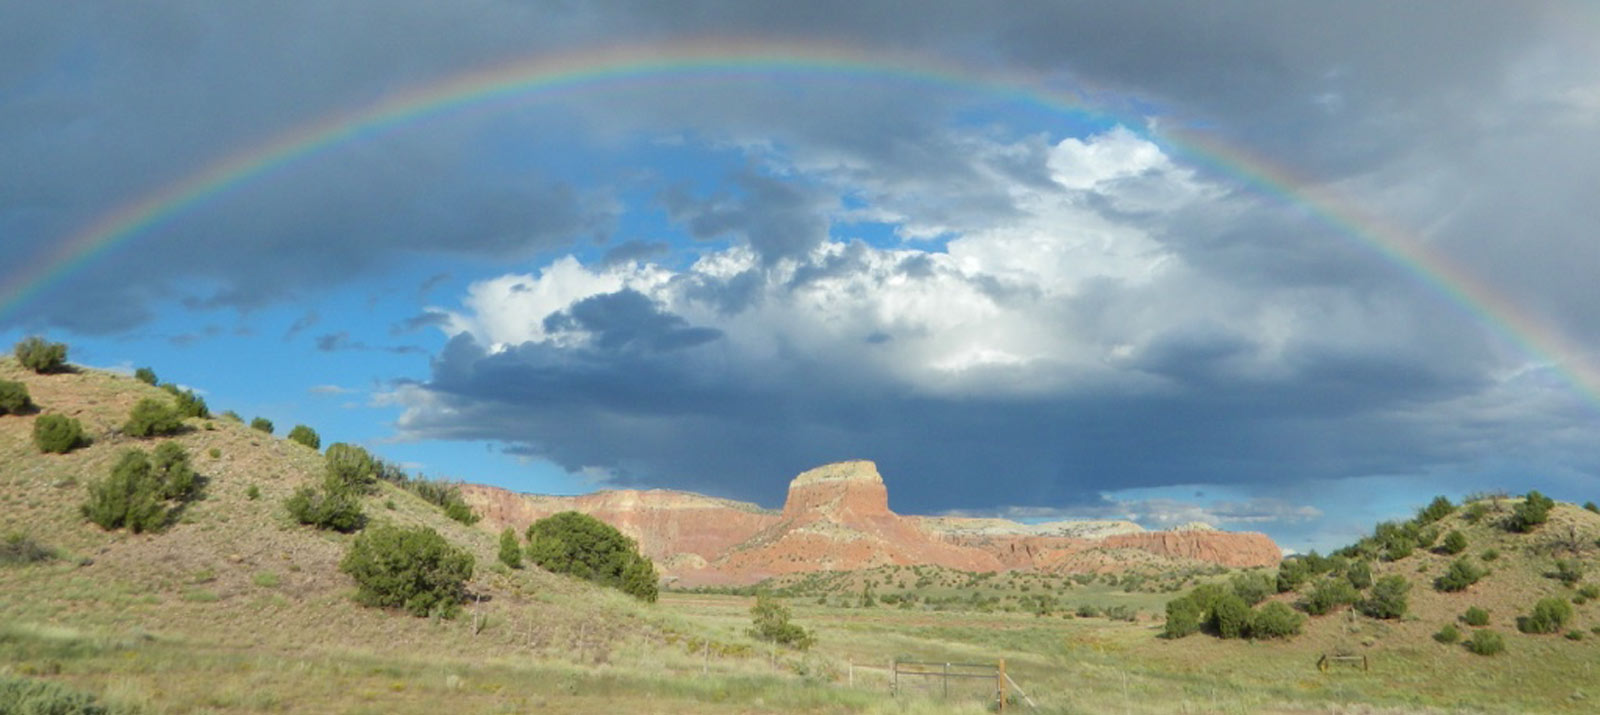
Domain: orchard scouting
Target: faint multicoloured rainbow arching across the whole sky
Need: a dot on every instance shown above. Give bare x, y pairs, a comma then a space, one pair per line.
722, 58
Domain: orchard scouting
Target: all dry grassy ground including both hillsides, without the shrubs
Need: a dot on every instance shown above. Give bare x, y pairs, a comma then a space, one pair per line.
238, 610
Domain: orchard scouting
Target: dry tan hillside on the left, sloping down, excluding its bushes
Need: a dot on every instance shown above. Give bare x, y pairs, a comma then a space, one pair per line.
234, 572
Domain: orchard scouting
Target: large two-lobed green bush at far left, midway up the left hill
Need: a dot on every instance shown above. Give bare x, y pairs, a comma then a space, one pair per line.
140, 492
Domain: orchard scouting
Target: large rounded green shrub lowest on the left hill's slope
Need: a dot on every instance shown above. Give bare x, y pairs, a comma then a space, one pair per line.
414, 569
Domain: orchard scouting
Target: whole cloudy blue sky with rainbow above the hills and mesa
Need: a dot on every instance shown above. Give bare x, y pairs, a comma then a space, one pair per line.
1276, 266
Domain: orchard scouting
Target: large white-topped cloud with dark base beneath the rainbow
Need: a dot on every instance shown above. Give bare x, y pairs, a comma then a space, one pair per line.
1023, 364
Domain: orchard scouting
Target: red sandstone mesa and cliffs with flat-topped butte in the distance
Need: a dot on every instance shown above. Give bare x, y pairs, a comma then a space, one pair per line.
838, 519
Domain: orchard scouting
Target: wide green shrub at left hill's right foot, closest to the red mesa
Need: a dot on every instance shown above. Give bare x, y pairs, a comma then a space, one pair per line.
583, 546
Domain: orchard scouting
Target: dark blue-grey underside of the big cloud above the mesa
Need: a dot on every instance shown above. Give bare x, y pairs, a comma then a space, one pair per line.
679, 423
